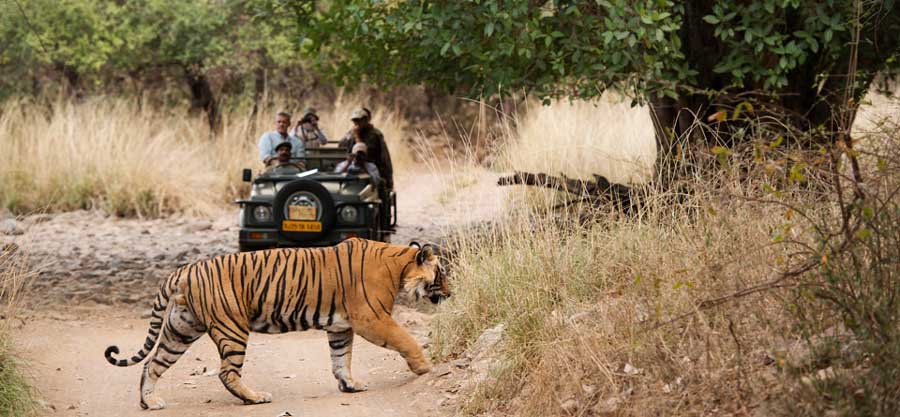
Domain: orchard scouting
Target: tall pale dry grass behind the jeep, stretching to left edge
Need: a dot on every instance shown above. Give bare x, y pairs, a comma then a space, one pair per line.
113, 155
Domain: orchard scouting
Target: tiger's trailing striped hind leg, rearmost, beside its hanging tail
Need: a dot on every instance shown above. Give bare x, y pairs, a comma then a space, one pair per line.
181, 329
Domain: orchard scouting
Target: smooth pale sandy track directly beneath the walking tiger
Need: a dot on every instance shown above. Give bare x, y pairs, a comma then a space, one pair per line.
65, 354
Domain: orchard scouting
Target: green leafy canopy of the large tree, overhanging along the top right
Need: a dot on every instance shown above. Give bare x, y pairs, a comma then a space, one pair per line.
580, 48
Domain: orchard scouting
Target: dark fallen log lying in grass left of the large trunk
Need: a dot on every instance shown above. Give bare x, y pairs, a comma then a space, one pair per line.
599, 192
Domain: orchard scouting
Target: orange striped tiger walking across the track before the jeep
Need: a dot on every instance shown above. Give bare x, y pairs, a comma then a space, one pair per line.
346, 289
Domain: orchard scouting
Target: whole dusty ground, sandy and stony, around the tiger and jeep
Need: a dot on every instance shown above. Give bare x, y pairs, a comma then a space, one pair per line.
97, 277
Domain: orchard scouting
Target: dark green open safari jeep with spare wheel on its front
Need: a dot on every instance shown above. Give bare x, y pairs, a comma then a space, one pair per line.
314, 207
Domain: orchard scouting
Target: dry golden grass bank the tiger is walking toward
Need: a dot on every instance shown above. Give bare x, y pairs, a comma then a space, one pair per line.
576, 300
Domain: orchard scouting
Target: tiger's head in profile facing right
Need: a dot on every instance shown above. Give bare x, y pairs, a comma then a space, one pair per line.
426, 279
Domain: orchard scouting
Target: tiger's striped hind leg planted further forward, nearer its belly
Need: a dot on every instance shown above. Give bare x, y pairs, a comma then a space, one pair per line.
232, 343
